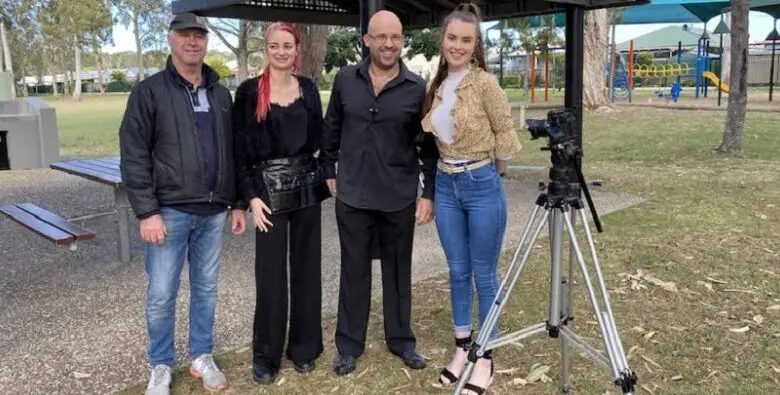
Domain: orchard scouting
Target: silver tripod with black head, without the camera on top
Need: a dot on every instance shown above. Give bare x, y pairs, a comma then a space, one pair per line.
555, 209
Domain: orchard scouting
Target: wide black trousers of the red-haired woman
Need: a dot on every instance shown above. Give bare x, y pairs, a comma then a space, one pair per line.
271, 308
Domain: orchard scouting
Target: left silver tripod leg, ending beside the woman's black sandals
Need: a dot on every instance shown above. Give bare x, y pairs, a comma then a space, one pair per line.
482, 343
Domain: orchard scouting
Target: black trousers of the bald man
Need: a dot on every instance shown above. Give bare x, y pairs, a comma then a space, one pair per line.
395, 234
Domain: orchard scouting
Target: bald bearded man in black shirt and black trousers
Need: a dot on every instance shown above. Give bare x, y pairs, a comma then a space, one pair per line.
371, 131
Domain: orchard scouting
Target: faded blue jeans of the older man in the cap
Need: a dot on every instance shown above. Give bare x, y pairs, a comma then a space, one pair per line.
200, 237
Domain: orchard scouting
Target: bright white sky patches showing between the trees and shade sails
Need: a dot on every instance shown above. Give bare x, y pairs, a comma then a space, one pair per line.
760, 25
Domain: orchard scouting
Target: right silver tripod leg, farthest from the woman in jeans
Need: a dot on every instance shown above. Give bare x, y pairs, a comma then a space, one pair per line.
617, 360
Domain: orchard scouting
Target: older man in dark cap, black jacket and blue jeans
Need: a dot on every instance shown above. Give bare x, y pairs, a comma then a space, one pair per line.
177, 165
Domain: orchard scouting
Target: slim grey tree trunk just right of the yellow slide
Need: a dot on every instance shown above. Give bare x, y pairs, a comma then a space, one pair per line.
737, 108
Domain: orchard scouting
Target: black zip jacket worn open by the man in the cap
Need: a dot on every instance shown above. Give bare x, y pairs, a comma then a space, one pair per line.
162, 160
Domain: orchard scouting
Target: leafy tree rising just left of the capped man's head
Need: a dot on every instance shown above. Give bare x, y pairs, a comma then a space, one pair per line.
148, 19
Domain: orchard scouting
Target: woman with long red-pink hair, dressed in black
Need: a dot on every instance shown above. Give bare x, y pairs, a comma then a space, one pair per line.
277, 121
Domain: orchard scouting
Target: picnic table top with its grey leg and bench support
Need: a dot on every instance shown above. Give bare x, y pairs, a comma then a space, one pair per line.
104, 171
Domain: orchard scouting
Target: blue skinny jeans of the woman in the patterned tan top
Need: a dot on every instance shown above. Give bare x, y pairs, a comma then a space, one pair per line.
471, 215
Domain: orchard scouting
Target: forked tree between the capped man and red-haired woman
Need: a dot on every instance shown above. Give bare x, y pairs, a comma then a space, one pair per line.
248, 35
